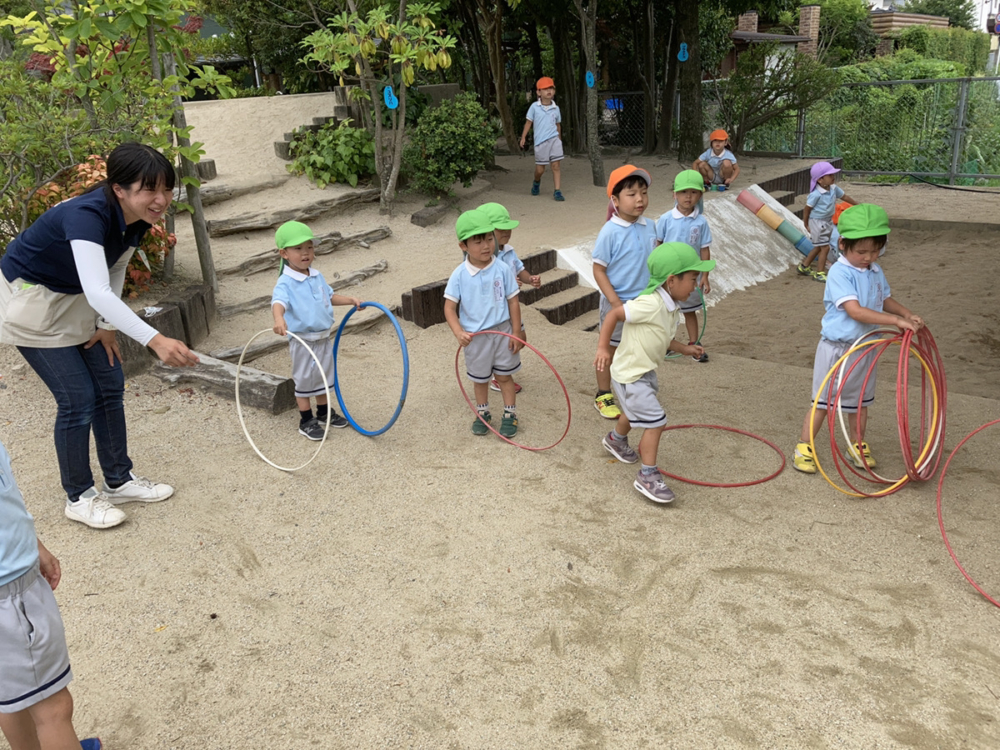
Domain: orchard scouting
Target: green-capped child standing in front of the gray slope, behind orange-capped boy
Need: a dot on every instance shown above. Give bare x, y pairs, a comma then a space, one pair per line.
685, 223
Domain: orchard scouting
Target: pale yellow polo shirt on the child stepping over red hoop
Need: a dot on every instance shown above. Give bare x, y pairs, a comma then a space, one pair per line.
650, 323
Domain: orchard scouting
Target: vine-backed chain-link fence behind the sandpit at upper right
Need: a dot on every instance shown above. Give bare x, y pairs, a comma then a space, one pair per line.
932, 128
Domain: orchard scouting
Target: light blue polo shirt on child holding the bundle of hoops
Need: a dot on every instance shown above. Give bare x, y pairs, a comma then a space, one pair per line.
846, 282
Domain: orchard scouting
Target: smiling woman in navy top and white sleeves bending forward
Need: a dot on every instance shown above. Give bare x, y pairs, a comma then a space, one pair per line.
60, 304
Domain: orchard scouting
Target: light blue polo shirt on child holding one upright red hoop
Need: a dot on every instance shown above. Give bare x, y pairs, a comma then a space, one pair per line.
481, 294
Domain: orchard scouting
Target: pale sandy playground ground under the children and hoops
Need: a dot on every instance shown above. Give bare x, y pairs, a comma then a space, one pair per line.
427, 589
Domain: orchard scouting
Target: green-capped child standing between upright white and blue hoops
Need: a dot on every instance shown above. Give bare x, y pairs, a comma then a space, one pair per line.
302, 302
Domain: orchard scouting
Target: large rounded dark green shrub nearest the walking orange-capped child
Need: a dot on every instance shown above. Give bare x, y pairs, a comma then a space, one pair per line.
452, 142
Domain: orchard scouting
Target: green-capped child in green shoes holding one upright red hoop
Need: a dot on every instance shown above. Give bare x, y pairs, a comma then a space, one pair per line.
487, 292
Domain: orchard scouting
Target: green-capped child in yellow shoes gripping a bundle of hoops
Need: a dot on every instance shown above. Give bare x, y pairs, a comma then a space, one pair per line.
857, 301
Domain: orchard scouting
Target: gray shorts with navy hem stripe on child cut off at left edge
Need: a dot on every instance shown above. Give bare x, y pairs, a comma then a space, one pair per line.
33, 642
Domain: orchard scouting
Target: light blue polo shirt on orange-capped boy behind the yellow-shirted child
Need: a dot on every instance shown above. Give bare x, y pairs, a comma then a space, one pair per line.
623, 250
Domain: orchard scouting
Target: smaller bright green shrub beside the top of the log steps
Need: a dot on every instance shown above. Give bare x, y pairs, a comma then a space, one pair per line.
333, 154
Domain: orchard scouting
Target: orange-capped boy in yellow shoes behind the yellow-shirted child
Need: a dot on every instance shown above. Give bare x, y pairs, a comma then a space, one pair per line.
620, 253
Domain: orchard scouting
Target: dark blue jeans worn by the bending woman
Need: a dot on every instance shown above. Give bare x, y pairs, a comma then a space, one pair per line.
90, 395
